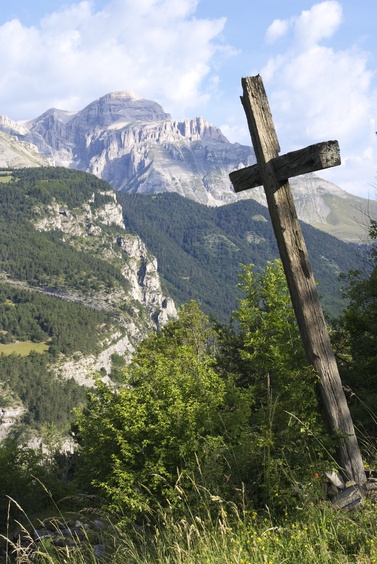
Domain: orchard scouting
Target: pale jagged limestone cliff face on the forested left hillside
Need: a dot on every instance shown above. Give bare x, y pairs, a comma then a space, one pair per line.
150, 308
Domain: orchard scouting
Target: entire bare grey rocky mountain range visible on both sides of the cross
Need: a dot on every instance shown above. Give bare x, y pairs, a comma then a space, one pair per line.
137, 147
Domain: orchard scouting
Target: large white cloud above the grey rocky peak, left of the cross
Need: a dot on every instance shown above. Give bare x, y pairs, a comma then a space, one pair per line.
154, 47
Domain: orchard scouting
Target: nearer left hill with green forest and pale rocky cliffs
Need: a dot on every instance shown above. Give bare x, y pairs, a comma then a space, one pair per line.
77, 292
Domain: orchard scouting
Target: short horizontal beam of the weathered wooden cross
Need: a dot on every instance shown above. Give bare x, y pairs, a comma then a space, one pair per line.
312, 158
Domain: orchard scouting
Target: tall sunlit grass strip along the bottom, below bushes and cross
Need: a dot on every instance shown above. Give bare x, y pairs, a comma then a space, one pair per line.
298, 525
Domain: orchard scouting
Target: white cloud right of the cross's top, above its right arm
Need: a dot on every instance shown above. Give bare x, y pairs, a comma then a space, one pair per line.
318, 93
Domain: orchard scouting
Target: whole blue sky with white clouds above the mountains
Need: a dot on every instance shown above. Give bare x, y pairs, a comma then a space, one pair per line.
318, 60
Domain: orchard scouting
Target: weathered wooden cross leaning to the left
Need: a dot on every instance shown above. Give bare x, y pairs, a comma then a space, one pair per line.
273, 172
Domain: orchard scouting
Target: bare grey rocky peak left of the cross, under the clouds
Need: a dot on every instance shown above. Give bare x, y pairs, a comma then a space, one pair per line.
137, 147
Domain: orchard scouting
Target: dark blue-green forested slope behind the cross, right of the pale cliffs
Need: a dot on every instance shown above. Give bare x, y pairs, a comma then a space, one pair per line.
200, 249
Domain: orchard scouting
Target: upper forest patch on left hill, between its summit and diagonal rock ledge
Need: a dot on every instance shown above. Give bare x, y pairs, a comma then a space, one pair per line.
43, 258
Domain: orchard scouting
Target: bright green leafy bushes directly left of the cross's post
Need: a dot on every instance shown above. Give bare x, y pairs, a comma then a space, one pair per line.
219, 408
